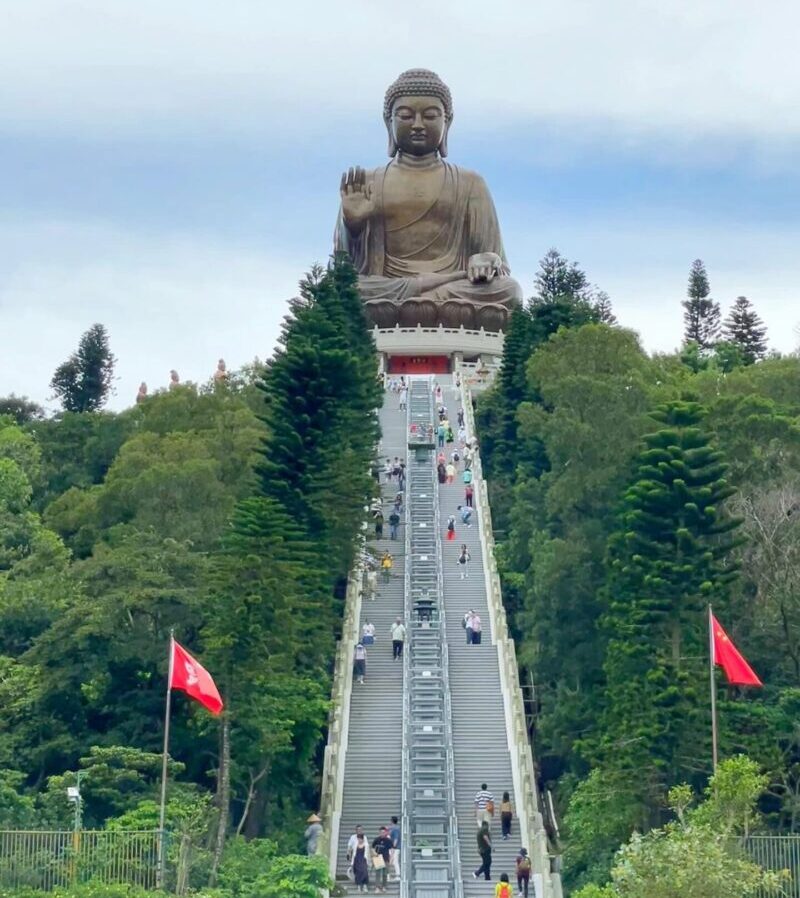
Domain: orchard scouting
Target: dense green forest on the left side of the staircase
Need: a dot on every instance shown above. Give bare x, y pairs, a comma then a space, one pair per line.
229, 512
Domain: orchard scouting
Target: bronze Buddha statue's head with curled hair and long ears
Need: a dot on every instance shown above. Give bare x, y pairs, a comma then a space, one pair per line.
418, 110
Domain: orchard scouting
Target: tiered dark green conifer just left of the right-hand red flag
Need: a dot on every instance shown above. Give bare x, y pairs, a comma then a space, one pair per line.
668, 558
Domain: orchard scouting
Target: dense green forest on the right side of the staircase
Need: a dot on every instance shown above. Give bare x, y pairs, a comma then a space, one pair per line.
629, 492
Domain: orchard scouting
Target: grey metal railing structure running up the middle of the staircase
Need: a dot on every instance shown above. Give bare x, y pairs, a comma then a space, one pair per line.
430, 859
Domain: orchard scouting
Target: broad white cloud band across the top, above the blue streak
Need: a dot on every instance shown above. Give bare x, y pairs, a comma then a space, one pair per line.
685, 68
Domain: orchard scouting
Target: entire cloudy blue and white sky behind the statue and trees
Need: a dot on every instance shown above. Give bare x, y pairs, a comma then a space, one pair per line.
171, 169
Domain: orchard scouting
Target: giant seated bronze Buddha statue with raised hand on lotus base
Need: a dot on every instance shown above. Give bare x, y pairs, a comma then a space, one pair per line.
423, 233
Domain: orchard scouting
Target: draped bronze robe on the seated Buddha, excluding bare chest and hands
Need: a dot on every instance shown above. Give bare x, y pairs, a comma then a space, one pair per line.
470, 227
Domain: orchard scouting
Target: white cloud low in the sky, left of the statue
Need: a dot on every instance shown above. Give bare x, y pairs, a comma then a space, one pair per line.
167, 301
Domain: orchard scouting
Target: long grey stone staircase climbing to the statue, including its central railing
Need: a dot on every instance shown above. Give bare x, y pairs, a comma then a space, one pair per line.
395, 737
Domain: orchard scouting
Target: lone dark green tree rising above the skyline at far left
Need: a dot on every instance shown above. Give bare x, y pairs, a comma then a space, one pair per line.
83, 382
